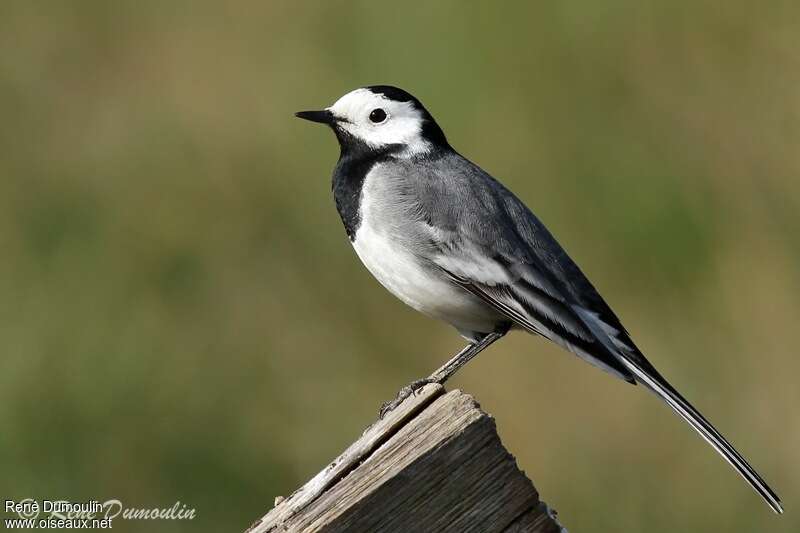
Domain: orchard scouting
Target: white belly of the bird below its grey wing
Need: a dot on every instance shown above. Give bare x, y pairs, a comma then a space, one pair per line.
399, 270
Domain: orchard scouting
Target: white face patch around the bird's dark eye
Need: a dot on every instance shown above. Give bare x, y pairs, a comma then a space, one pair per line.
402, 123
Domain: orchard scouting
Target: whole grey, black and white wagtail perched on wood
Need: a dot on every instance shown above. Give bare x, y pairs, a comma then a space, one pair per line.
449, 240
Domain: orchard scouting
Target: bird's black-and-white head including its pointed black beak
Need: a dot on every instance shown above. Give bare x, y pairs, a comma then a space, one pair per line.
380, 118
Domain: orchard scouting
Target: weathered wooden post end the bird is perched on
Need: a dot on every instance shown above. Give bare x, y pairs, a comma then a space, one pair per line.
434, 463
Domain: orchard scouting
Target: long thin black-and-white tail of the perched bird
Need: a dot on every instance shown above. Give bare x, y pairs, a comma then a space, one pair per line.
668, 394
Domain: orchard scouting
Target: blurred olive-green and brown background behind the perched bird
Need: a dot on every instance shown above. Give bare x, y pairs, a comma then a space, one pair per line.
182, 317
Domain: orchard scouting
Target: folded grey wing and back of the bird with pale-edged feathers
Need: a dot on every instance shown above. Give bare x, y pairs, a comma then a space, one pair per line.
489, 243
